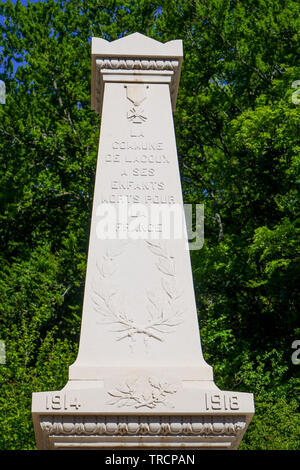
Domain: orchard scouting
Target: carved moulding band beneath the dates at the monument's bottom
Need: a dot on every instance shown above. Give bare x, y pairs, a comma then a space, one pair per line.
130, 432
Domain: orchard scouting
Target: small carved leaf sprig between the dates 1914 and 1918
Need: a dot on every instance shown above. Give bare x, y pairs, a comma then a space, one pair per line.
153, 393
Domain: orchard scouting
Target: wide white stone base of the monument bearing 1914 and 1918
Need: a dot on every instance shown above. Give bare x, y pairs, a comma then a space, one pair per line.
135, 418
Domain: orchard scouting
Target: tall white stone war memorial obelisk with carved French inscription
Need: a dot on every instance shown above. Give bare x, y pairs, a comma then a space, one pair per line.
140, 380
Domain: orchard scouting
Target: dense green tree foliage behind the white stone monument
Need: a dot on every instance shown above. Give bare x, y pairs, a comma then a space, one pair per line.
238, 142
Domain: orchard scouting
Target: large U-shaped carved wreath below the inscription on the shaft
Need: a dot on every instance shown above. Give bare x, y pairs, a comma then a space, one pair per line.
163, 314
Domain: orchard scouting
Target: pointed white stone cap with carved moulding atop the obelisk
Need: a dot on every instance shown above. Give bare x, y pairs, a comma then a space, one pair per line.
136, 58
